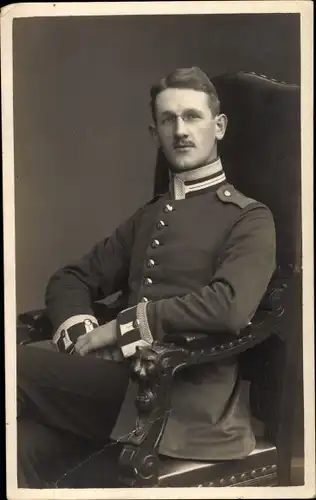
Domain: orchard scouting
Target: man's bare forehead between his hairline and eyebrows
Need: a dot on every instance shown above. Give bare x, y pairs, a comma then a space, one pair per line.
175, 99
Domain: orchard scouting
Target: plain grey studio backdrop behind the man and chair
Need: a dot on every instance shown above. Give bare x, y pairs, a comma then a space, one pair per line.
84, 160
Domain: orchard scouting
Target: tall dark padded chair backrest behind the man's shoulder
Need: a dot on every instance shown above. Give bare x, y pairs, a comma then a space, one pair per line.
261, 157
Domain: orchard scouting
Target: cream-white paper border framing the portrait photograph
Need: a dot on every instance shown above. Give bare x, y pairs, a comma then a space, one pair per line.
11, 12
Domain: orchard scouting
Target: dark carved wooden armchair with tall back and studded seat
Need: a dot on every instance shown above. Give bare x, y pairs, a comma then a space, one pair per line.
261, 157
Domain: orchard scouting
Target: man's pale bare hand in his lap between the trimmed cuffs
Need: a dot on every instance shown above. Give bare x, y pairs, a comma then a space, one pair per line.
102, 336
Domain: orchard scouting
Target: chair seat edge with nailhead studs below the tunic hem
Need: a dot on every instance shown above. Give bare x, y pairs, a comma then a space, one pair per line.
258, 467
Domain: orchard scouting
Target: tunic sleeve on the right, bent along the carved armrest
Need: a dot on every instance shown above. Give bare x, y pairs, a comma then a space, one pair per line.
246, 264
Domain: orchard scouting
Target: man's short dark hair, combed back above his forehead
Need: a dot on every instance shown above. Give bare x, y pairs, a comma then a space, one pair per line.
186, 78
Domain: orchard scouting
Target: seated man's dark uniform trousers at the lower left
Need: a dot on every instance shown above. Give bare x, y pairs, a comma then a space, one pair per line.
67, 407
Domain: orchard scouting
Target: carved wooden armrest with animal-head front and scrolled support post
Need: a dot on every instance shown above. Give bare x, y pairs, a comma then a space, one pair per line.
153, 370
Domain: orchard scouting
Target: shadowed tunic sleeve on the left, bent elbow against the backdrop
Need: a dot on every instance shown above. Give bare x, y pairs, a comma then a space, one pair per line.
104, 270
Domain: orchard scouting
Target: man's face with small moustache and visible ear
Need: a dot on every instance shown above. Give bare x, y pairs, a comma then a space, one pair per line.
186, 129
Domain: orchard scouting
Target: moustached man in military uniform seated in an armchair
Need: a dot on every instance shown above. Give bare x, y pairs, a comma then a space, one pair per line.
195, 259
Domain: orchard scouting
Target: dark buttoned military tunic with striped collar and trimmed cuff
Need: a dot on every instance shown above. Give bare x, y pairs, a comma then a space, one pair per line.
196, 259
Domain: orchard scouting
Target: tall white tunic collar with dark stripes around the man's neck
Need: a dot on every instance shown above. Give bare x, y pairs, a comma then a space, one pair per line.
191, 182
